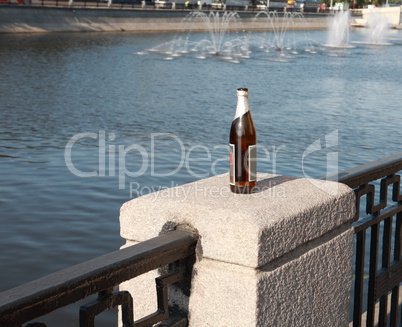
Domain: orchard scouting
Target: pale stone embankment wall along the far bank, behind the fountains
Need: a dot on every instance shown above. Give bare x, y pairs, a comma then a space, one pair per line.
15, 19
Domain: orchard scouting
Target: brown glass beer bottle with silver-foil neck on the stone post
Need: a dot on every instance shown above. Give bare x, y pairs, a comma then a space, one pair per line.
242, 147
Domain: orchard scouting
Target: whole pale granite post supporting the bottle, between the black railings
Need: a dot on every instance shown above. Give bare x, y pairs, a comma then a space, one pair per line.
279, 257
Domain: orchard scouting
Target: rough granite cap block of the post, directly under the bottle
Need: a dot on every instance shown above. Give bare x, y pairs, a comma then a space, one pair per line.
245, 229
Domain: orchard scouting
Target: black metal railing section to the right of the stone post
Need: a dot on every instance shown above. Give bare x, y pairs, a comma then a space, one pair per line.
378, 265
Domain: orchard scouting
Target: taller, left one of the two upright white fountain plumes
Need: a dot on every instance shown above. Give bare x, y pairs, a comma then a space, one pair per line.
338, 30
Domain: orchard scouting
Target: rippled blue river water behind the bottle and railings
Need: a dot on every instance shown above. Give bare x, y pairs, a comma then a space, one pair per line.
89, 121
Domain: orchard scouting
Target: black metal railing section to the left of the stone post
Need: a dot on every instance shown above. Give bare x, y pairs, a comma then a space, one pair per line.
100, 276
